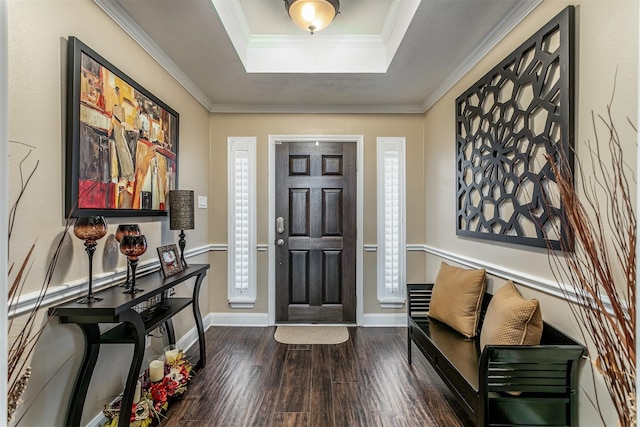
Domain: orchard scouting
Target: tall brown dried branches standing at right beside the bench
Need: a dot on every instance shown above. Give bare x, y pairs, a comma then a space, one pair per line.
598, 265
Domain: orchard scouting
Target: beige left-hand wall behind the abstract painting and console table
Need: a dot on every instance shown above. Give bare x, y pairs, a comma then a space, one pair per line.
38, 32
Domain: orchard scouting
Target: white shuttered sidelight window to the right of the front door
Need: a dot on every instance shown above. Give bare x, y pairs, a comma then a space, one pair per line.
391, 231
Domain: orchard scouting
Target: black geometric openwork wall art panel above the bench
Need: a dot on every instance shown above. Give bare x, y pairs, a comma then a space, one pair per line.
506, 123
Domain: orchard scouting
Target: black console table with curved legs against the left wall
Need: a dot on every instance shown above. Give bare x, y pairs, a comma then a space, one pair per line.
132, 328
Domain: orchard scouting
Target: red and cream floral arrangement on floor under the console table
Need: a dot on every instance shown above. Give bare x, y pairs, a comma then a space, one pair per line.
155, 396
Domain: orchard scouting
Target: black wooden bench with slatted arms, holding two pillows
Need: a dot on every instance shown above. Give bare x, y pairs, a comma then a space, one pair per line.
500, 385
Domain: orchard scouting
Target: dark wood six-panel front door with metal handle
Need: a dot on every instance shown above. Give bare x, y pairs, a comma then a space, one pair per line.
316, 232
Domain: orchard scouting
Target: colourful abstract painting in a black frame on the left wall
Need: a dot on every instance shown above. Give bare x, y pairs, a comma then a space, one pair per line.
121, 141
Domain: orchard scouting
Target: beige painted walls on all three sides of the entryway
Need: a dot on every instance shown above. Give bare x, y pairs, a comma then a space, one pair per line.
37, 36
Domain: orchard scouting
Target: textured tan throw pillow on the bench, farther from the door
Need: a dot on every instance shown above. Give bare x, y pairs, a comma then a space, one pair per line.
511, 319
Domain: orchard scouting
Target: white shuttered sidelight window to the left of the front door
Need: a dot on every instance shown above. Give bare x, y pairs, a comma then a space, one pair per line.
242, 222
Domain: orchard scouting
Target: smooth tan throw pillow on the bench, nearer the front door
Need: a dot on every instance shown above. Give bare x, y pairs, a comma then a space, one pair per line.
457, 298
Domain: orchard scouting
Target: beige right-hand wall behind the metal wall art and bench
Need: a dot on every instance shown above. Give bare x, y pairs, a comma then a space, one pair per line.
606, 41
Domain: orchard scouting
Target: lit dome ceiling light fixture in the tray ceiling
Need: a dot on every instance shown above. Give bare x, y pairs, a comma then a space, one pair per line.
312, 15
